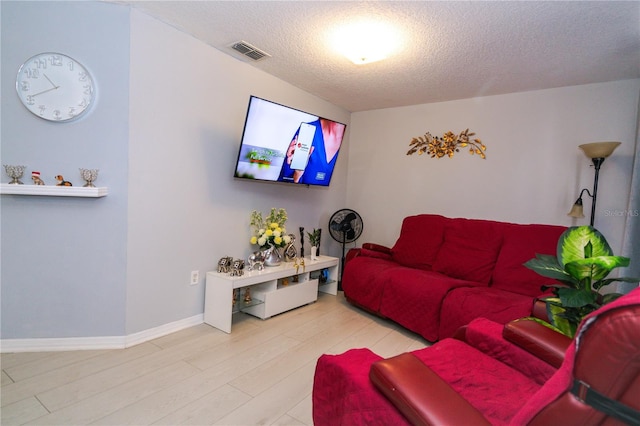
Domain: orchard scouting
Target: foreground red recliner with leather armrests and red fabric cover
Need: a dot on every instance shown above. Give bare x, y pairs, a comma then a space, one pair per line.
522, 374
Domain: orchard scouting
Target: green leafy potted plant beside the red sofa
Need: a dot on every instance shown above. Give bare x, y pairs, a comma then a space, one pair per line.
582, 263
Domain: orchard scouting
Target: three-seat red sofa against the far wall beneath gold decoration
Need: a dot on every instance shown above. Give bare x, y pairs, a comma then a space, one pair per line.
443, 272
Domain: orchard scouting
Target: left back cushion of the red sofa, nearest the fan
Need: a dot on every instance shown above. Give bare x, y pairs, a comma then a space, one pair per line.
420, 240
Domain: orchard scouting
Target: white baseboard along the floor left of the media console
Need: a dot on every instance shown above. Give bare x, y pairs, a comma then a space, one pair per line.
96, 343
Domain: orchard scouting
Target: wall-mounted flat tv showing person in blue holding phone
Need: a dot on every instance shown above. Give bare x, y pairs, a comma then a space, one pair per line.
283, 144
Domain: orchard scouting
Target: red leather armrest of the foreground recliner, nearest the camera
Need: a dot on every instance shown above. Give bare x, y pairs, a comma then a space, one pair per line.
420, 394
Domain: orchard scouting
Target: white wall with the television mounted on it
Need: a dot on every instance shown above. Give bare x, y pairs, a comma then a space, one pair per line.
188, 105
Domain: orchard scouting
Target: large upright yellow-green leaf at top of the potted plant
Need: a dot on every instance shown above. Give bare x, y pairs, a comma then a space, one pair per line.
580, 242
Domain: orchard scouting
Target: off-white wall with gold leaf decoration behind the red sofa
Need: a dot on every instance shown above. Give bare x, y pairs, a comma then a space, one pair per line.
533, 172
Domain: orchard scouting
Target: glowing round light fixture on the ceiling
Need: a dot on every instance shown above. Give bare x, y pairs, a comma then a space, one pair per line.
366, 41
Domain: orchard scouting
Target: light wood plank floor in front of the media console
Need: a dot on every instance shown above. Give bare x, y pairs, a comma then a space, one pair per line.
261, 373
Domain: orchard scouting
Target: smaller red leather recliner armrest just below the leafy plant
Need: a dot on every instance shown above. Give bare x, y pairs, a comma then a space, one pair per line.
535, 338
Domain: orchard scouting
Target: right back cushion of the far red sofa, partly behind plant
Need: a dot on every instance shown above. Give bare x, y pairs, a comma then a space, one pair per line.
521, 243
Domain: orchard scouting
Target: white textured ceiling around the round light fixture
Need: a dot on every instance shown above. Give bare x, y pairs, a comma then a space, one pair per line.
452, 50
